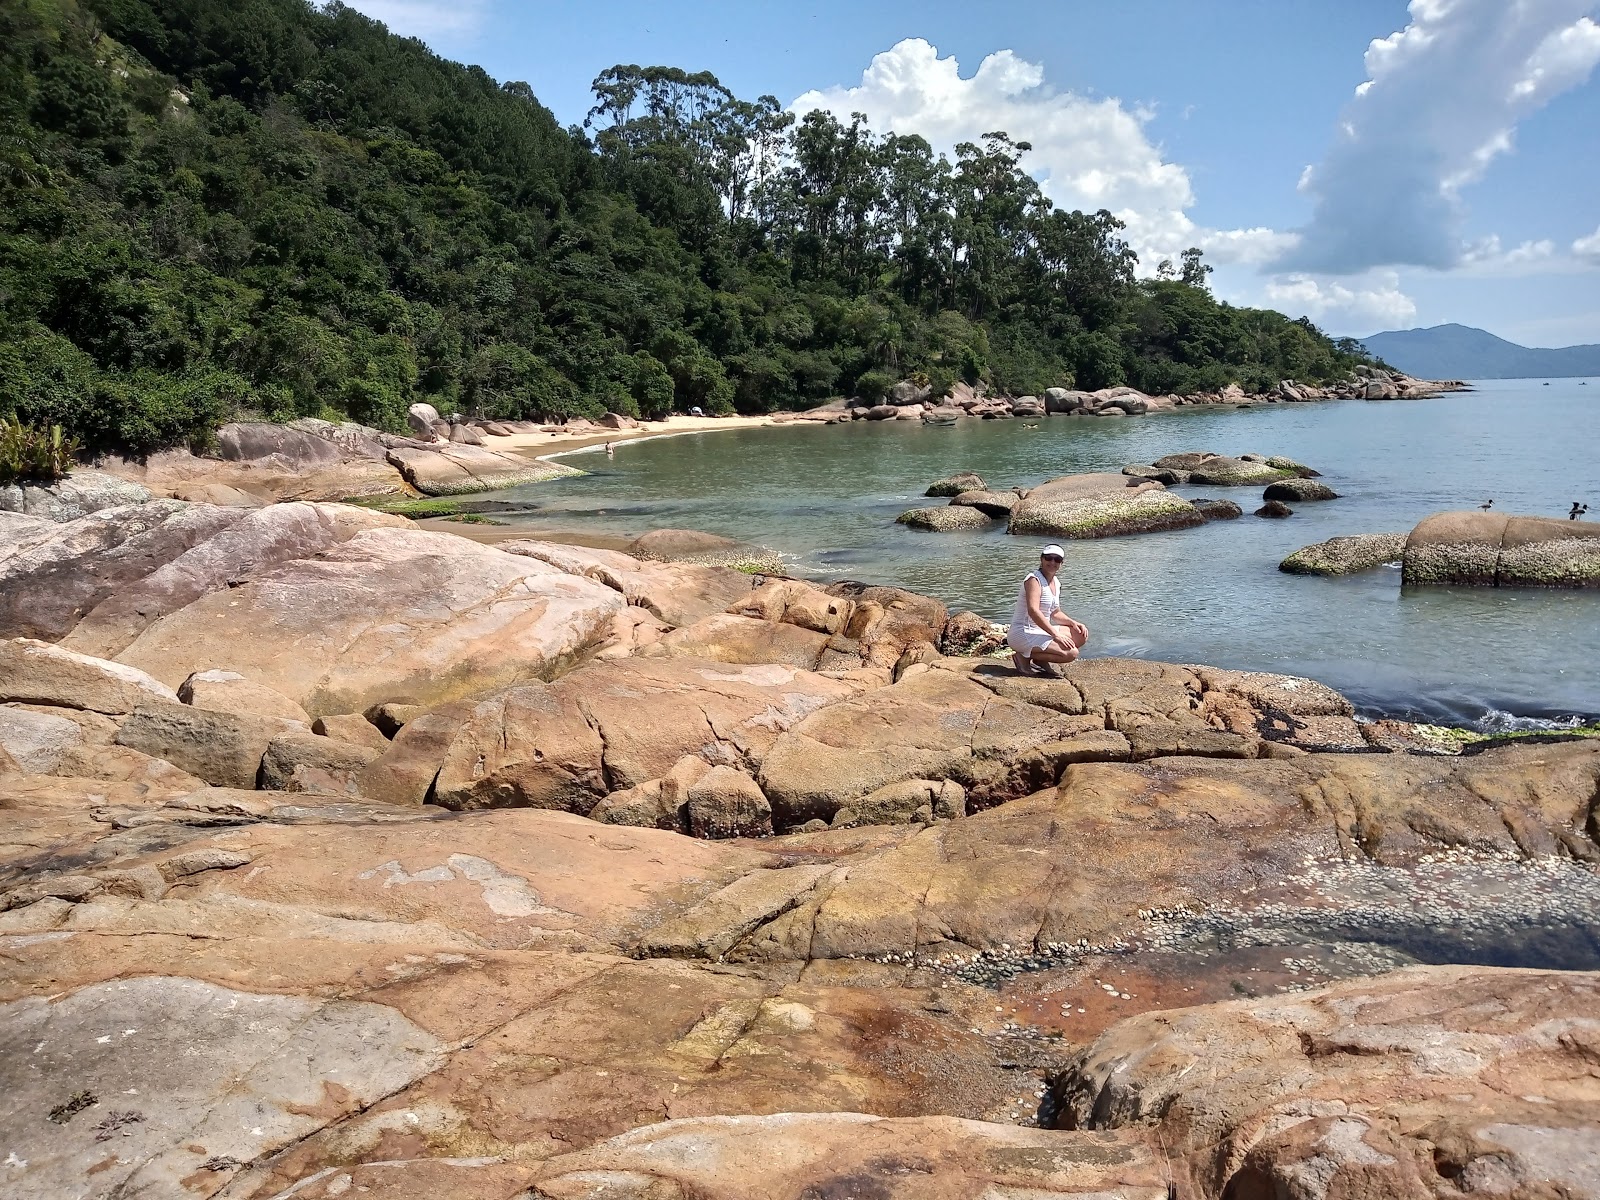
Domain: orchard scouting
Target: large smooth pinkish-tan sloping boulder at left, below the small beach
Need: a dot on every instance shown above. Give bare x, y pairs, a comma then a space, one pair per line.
390, 615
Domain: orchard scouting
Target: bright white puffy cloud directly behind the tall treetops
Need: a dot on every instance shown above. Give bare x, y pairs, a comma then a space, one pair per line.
1087, 153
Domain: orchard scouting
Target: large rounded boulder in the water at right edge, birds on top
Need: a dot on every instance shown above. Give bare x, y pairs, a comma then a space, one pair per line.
1502, 551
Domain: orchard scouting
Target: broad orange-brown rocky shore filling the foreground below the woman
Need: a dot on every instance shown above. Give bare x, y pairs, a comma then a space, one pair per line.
338, 857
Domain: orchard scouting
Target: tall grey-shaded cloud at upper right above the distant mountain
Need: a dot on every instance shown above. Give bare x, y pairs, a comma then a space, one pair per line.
1442, 102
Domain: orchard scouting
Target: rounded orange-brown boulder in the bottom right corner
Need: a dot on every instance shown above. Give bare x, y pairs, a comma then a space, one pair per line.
1367, 1089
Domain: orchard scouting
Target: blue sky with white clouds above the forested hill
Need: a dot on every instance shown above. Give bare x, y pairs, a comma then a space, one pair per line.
1369, 164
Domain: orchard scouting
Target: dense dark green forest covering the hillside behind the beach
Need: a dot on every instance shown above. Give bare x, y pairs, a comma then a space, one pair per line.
220, 207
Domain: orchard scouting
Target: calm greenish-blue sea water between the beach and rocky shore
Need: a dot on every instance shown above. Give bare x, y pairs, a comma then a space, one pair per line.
828, 498
